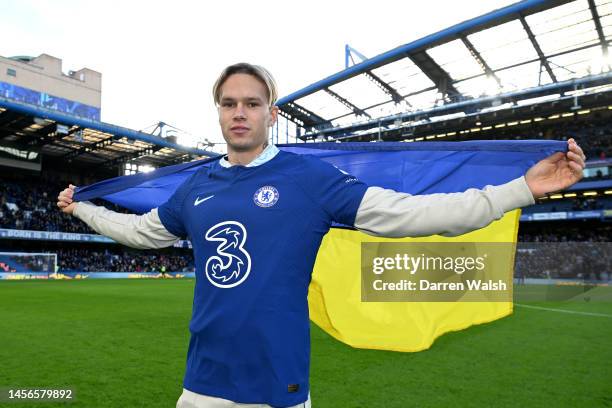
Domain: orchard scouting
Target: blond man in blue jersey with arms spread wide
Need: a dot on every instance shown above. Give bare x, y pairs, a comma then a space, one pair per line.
256, 219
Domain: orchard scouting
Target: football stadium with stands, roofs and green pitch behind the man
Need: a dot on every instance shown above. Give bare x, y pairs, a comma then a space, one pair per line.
84, 313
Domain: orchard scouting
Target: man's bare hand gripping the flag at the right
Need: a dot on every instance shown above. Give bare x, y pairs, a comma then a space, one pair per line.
556, 172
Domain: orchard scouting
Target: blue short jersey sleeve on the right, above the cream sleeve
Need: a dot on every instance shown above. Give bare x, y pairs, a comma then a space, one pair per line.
338, 192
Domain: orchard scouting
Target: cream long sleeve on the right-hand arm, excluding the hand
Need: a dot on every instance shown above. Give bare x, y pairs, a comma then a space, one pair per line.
388, 213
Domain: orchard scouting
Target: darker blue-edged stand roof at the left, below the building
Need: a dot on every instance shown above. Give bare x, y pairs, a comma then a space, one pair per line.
72, 138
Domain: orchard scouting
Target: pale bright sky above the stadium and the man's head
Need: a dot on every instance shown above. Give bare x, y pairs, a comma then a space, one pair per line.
159, 59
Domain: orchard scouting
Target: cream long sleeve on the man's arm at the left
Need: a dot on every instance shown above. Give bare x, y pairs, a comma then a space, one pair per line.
137, 231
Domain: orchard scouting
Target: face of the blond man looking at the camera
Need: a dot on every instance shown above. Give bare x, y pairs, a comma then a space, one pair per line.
244, 114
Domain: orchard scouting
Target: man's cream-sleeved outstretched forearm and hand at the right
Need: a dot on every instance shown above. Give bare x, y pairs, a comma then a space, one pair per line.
391, 214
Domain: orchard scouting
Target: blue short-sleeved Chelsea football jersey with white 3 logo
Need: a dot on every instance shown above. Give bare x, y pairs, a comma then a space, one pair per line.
255, 233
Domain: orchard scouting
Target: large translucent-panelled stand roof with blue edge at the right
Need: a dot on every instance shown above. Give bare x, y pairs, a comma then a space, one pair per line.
503, 57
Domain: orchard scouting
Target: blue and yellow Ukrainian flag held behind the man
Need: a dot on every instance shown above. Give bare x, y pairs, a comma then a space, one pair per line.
416, 168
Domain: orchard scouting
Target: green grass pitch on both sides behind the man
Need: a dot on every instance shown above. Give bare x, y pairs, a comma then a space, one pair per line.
122, 343
